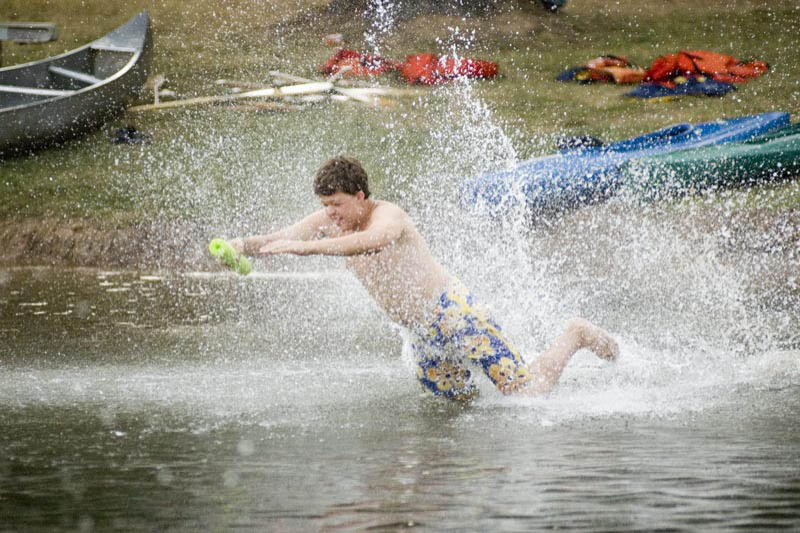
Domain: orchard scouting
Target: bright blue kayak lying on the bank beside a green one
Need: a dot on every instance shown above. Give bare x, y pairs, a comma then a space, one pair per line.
583, 175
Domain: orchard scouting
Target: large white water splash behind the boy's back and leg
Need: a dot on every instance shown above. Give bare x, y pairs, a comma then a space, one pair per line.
687, 310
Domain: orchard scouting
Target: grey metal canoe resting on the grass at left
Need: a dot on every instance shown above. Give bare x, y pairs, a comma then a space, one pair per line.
66, 95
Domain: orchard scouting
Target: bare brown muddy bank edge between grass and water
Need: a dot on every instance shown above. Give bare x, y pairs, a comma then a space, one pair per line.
53, 241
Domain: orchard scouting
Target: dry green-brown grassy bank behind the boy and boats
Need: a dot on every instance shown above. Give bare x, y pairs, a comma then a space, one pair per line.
211, 162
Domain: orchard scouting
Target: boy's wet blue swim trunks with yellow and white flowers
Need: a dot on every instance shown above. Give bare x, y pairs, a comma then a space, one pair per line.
461, 337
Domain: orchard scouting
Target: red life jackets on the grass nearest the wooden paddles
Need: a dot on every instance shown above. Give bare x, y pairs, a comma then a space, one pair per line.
420, 69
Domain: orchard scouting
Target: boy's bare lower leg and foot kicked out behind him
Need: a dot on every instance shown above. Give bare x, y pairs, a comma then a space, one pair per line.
580, 333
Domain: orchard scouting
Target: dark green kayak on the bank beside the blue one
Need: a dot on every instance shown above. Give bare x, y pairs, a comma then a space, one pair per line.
772, 156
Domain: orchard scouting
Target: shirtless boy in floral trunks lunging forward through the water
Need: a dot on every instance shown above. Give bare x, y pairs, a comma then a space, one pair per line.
453, 337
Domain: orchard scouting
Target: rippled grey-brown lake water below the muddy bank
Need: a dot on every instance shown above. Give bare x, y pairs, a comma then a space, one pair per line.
210, 402
